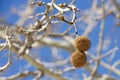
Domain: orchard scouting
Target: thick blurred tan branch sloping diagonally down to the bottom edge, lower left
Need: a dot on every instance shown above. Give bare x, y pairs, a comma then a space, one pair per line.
38, 65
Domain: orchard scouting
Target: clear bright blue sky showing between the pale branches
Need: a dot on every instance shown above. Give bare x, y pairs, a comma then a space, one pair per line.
111, 32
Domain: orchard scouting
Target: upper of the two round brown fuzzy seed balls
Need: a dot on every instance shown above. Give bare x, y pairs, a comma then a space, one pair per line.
82, 43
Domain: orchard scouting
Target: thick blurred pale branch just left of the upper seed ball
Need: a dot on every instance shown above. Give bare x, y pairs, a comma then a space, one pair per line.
68, 45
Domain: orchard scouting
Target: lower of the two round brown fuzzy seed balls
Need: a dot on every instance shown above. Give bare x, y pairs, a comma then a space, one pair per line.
78, 59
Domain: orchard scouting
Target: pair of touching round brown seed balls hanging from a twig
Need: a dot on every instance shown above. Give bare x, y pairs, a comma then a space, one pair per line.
79, 58
